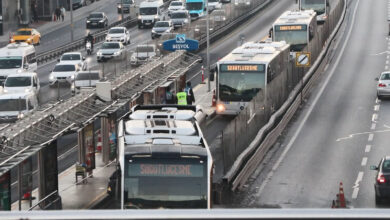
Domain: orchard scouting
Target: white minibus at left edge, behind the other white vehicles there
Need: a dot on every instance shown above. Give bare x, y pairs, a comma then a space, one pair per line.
17, 58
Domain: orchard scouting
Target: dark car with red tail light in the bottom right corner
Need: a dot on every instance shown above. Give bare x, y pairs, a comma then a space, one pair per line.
382, 179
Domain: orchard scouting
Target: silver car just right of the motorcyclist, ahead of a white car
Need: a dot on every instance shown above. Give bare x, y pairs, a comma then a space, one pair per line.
110, 50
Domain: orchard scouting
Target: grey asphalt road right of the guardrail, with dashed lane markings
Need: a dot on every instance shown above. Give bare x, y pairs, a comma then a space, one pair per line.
340, 131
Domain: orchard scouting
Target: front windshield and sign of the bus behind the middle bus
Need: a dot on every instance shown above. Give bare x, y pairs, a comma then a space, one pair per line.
295, 35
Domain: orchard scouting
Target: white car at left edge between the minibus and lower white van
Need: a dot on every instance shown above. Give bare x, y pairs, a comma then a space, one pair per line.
24, 82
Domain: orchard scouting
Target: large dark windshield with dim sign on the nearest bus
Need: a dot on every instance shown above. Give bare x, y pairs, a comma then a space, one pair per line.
182, 183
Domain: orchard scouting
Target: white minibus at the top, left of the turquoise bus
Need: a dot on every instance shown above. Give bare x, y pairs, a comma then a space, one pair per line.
150, 12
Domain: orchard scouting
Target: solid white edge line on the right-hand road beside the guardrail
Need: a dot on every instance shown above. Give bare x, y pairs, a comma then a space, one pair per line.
317, 97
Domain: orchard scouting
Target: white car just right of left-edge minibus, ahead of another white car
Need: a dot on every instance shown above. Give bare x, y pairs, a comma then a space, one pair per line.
63, 73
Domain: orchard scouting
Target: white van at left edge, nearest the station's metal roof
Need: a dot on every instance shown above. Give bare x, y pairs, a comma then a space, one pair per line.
15, 106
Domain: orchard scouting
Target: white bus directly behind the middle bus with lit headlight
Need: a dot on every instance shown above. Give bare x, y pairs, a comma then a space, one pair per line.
297, 28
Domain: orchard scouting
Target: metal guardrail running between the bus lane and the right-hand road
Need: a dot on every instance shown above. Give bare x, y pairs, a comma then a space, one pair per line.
248, 160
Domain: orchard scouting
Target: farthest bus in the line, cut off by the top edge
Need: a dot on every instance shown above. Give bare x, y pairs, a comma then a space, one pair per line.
321, 7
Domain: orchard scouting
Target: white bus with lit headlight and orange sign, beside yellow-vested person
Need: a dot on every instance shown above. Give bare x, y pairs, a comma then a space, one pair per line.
245, 71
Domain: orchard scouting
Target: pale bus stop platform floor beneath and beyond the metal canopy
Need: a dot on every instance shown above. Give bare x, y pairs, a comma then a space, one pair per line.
89, 194
